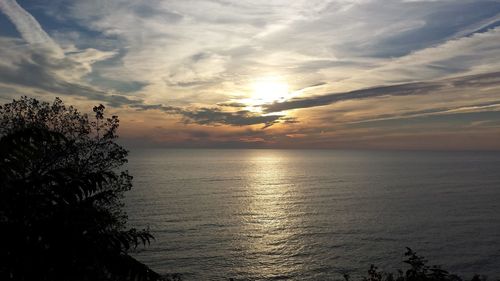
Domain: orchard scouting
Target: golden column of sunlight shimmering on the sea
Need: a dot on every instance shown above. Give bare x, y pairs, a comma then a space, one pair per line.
271, 218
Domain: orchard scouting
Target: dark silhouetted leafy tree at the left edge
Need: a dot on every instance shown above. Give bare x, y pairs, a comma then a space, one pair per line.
61, 184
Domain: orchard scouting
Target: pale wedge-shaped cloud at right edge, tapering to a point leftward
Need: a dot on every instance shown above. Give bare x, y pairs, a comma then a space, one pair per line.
461, 56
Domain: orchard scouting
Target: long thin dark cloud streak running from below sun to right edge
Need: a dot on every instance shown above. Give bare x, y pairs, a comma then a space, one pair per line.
407, 89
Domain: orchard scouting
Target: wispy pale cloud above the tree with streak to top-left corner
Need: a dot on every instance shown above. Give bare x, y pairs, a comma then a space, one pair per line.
42, 65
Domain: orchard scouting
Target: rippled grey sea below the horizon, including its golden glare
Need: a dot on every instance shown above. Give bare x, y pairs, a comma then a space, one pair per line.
314, 214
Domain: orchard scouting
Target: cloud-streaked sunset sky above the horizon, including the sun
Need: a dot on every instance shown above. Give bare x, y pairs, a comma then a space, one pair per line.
347, 74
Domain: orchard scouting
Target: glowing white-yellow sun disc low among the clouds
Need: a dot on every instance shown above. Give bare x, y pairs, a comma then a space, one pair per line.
268, 89
